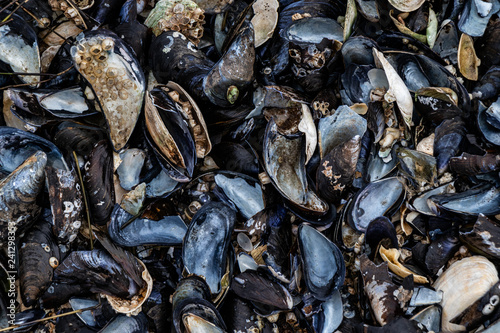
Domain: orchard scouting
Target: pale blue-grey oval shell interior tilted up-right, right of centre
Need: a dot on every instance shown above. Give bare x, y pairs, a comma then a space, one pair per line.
378, 198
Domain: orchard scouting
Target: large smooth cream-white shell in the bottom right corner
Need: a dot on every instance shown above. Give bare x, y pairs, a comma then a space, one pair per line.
462, 284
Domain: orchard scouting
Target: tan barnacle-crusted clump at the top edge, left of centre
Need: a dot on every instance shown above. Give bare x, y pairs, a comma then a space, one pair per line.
183, 16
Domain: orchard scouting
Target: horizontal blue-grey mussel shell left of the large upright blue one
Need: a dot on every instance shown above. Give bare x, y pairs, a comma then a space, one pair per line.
167, 231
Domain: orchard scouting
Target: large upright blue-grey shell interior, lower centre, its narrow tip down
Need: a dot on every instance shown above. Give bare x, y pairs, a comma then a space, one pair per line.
206, 242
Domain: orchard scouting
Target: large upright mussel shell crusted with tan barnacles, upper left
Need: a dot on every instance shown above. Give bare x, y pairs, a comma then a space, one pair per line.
111, 68
